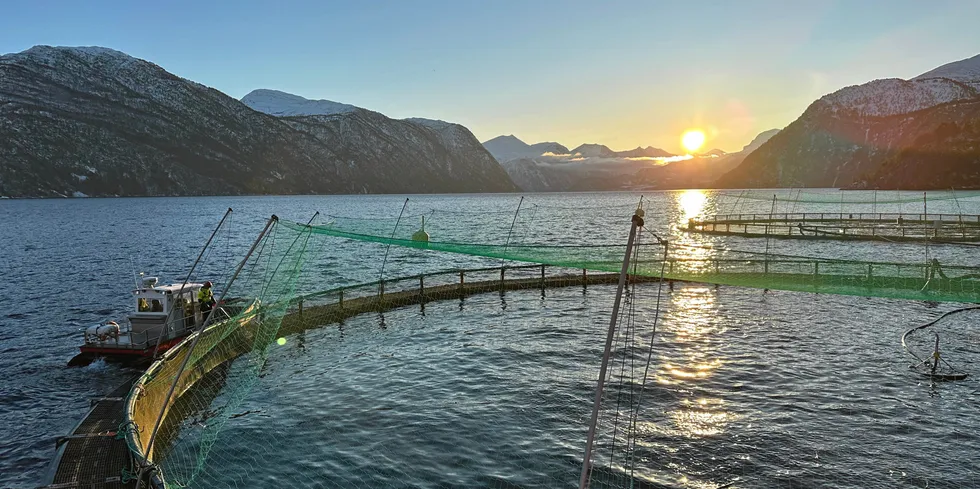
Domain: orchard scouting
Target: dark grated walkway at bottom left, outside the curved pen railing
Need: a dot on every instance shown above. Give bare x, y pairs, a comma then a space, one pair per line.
92, 456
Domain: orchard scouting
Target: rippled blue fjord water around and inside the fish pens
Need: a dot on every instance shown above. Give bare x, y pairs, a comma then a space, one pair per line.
787, 373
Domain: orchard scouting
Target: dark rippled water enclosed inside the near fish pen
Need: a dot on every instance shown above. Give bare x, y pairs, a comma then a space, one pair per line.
761, 390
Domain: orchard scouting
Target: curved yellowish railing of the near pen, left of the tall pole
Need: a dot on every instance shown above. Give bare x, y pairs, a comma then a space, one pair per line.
229, 339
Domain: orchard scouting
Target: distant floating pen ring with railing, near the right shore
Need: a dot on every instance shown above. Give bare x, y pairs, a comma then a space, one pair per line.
894, 227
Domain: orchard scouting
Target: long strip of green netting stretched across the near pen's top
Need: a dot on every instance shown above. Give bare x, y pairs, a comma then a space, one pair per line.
926, 280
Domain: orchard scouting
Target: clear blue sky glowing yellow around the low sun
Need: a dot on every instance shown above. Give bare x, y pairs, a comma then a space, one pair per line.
619, 73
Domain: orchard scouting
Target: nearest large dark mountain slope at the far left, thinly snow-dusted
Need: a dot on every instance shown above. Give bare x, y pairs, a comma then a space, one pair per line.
98, 122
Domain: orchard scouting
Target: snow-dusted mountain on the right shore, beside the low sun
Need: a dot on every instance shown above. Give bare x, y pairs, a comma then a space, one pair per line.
845, 139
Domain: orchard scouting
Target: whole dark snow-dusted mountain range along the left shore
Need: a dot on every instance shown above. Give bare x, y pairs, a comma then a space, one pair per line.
94, 121
